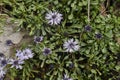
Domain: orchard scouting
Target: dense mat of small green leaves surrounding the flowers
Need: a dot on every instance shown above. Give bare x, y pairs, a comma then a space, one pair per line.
97, 59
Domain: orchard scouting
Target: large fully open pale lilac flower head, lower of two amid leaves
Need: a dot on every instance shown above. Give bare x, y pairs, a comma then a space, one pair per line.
71, 45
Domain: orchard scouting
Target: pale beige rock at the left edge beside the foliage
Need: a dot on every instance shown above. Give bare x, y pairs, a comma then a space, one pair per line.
9, 34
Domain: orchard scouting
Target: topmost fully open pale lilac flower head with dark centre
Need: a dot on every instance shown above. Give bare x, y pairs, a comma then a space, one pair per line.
54, 18
